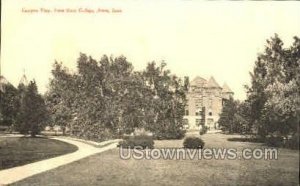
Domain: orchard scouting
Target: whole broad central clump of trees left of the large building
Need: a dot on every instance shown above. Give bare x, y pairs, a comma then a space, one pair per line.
109, 96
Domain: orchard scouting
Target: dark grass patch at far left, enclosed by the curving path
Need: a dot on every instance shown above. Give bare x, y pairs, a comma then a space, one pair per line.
16, 151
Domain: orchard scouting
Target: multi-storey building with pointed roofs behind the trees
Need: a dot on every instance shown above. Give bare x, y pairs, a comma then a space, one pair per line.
205, 101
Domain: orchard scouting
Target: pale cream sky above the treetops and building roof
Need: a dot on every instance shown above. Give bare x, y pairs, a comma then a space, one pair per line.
195, 38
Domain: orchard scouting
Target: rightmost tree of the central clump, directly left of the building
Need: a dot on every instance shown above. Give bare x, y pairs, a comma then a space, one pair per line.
167, 101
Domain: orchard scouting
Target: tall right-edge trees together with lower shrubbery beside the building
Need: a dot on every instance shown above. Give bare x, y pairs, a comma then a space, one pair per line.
272, 106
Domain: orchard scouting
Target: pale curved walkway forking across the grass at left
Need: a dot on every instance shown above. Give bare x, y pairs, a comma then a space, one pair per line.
15, 174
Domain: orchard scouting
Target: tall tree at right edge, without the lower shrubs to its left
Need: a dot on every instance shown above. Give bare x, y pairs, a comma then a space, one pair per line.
273, 96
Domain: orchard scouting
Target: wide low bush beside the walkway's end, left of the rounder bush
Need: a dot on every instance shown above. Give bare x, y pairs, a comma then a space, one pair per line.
142, 141
